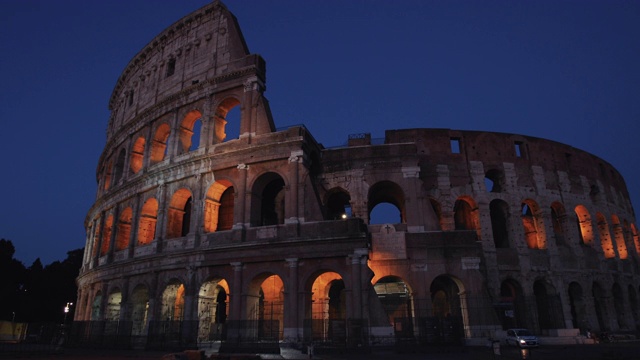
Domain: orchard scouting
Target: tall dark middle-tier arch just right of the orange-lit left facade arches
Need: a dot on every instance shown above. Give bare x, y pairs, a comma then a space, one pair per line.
268, 200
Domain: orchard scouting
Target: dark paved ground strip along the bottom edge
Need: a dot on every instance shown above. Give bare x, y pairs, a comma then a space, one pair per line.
617, 351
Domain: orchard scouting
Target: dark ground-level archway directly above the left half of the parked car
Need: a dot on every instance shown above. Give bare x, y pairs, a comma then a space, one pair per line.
512, 309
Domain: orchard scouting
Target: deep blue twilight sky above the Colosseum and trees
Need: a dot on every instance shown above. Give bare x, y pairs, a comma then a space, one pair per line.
567, 71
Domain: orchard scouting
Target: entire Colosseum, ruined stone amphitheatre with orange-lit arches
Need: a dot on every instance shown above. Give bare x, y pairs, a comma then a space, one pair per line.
213, 226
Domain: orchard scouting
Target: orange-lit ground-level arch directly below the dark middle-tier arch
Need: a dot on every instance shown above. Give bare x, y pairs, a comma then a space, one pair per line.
265, 308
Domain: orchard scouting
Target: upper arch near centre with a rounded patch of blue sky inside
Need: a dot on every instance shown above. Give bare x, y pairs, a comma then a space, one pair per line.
386, 204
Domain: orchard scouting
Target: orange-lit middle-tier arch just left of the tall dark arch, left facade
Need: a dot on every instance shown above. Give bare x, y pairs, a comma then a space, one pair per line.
218, 206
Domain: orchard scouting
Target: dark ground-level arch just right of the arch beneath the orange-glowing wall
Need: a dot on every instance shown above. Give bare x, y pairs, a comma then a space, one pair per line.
448, 311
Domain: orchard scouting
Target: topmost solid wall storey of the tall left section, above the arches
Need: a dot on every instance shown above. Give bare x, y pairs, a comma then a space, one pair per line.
202, 45
